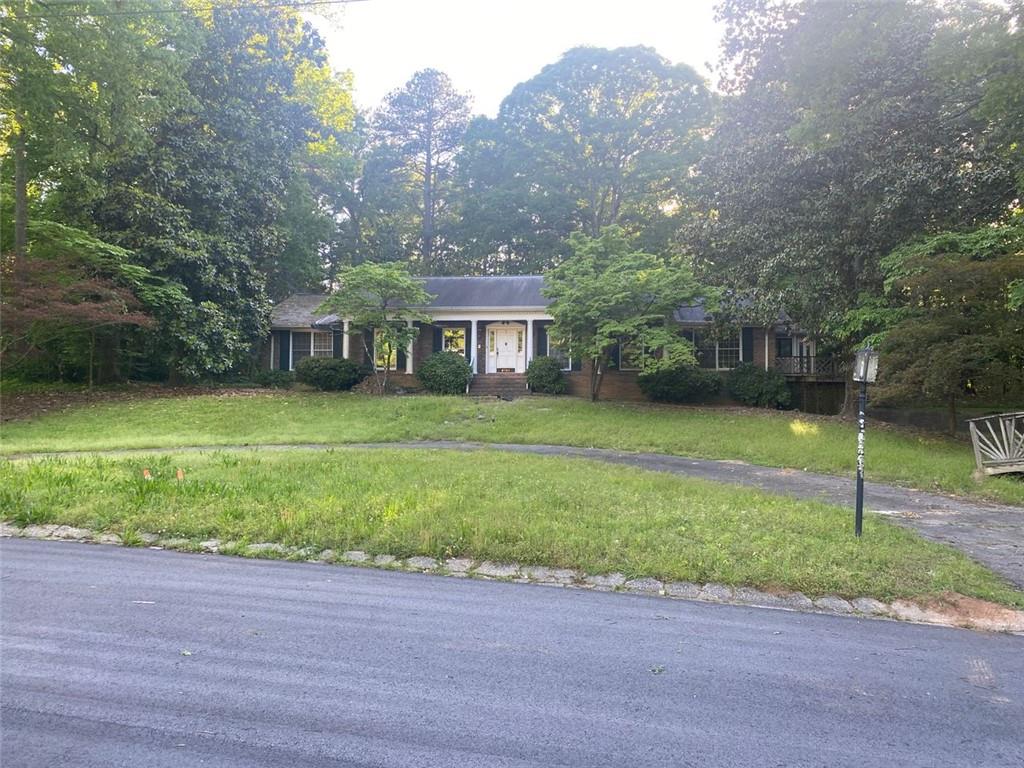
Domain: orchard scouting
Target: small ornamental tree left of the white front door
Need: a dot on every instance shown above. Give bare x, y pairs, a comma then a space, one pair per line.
380, 302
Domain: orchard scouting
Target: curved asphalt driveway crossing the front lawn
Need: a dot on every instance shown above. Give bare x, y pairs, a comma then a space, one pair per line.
992, 534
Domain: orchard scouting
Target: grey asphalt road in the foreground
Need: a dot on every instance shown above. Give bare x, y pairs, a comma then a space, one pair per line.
134, 658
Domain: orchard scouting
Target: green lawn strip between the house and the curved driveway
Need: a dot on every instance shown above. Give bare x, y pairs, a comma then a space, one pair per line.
931, 463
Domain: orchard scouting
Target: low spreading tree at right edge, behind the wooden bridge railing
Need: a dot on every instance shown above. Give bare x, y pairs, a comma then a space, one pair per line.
949, 328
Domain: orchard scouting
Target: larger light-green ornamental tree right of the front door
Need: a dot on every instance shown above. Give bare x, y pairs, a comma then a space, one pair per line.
609, 294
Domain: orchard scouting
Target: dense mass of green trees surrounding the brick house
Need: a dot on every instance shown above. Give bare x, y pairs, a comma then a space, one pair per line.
168, 177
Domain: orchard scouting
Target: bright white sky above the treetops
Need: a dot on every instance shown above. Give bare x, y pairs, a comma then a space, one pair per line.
489, 47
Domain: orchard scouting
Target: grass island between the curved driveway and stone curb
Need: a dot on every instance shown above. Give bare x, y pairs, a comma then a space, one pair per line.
536, 510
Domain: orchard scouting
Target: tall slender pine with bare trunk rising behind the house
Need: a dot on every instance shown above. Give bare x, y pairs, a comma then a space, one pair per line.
423, 123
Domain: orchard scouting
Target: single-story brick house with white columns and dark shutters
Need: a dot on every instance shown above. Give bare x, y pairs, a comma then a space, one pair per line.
501, 323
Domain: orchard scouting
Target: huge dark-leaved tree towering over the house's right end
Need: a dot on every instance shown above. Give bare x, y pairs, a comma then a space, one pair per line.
839, 141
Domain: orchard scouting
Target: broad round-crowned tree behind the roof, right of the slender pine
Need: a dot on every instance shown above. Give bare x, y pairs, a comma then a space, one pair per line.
602, 138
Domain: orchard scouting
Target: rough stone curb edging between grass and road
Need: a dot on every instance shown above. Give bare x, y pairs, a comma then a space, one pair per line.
997, 619
